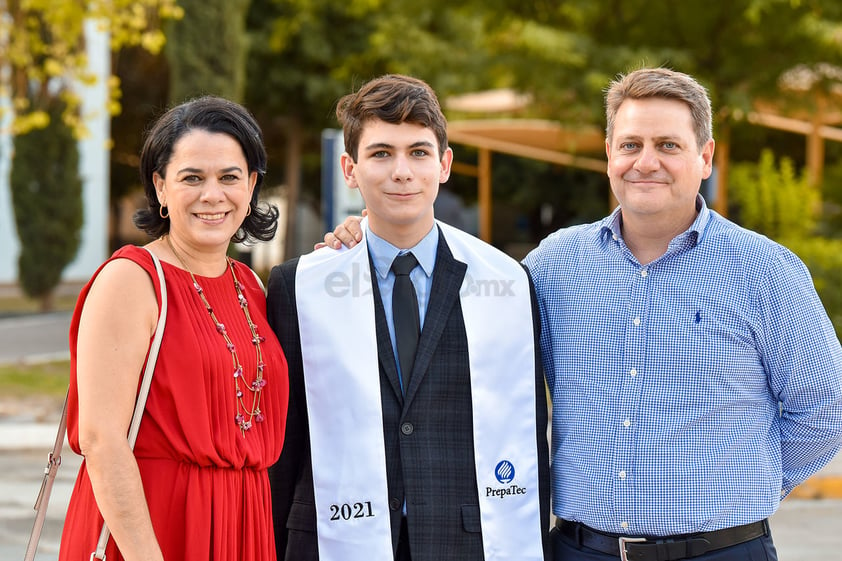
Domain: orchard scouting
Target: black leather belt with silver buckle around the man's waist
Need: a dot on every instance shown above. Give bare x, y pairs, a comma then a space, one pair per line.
673, 548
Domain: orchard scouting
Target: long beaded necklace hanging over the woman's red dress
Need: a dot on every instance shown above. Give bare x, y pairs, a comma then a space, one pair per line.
244, 417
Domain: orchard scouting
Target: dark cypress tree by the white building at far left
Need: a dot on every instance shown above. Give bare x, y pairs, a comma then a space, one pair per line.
47, 198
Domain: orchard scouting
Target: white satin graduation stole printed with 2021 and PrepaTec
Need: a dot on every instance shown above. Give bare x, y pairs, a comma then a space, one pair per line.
335, 304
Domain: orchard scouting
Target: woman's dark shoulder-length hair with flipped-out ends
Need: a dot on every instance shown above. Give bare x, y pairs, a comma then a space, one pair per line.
214, 115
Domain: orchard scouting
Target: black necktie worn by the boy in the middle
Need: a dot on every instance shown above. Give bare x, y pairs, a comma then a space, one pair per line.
405, 314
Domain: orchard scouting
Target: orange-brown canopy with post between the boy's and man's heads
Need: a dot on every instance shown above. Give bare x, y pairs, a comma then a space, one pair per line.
543, 140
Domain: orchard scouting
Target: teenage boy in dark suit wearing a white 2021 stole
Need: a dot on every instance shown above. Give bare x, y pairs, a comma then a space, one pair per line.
428, 445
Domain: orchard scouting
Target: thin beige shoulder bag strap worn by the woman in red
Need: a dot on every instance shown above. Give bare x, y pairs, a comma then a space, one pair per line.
54, 458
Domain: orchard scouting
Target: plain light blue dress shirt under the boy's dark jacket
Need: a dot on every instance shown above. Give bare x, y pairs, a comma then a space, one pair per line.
382, 254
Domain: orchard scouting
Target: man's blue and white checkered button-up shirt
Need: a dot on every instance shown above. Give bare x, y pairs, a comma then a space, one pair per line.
689, 394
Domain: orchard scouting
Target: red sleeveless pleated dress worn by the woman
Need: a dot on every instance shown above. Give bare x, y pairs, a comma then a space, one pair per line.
206, 485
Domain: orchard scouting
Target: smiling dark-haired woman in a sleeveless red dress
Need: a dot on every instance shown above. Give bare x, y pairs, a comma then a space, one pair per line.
195, 486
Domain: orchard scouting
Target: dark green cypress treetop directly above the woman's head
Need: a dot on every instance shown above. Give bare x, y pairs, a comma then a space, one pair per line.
207, 48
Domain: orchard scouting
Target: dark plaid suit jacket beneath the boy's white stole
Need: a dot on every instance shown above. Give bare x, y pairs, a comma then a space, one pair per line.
428, 433
